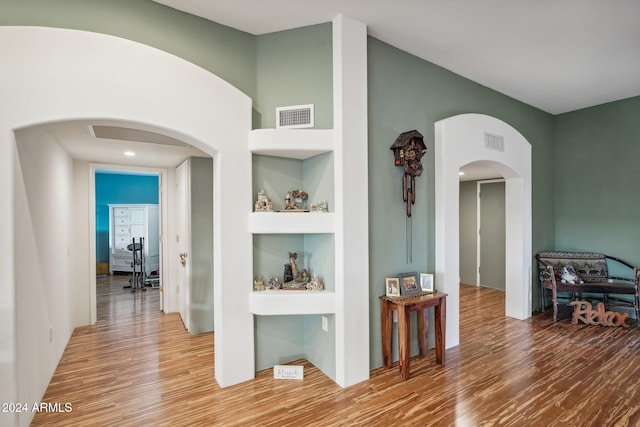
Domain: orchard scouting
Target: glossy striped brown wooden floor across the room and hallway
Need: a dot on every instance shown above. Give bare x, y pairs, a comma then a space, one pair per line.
138, 367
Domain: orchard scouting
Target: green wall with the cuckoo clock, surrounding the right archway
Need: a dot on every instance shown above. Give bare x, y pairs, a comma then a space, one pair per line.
408, 93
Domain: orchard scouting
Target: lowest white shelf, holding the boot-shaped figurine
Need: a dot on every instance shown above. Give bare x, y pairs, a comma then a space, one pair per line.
283, 302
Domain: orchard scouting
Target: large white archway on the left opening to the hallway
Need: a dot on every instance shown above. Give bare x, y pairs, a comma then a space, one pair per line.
52, 75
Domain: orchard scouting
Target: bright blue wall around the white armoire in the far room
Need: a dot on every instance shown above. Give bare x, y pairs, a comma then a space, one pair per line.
112, 188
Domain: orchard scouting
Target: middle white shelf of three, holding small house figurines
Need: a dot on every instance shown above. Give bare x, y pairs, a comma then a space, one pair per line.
291, 222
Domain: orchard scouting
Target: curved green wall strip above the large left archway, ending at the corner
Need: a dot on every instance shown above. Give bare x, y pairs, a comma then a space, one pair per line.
226, 52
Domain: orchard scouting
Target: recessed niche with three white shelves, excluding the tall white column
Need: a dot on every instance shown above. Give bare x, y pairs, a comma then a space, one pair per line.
285, 160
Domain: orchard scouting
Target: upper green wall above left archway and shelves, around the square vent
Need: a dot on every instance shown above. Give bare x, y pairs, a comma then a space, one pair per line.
279, 69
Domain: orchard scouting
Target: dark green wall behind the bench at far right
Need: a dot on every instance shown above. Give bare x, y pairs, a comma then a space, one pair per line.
597, 174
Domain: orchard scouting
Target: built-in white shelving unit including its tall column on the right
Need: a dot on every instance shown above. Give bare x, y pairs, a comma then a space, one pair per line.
330, 327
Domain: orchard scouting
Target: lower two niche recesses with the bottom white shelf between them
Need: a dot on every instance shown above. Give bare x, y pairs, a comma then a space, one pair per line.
292, 319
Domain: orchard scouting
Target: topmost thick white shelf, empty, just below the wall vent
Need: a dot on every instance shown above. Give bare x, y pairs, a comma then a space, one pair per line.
291, 143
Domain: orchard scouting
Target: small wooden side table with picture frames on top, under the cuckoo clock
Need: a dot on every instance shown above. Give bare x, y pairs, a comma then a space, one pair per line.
404, 306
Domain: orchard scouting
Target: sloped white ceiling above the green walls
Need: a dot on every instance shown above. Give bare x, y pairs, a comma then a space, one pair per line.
556, 55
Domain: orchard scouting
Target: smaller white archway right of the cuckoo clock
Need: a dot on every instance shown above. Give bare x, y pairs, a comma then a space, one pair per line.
460, 140
